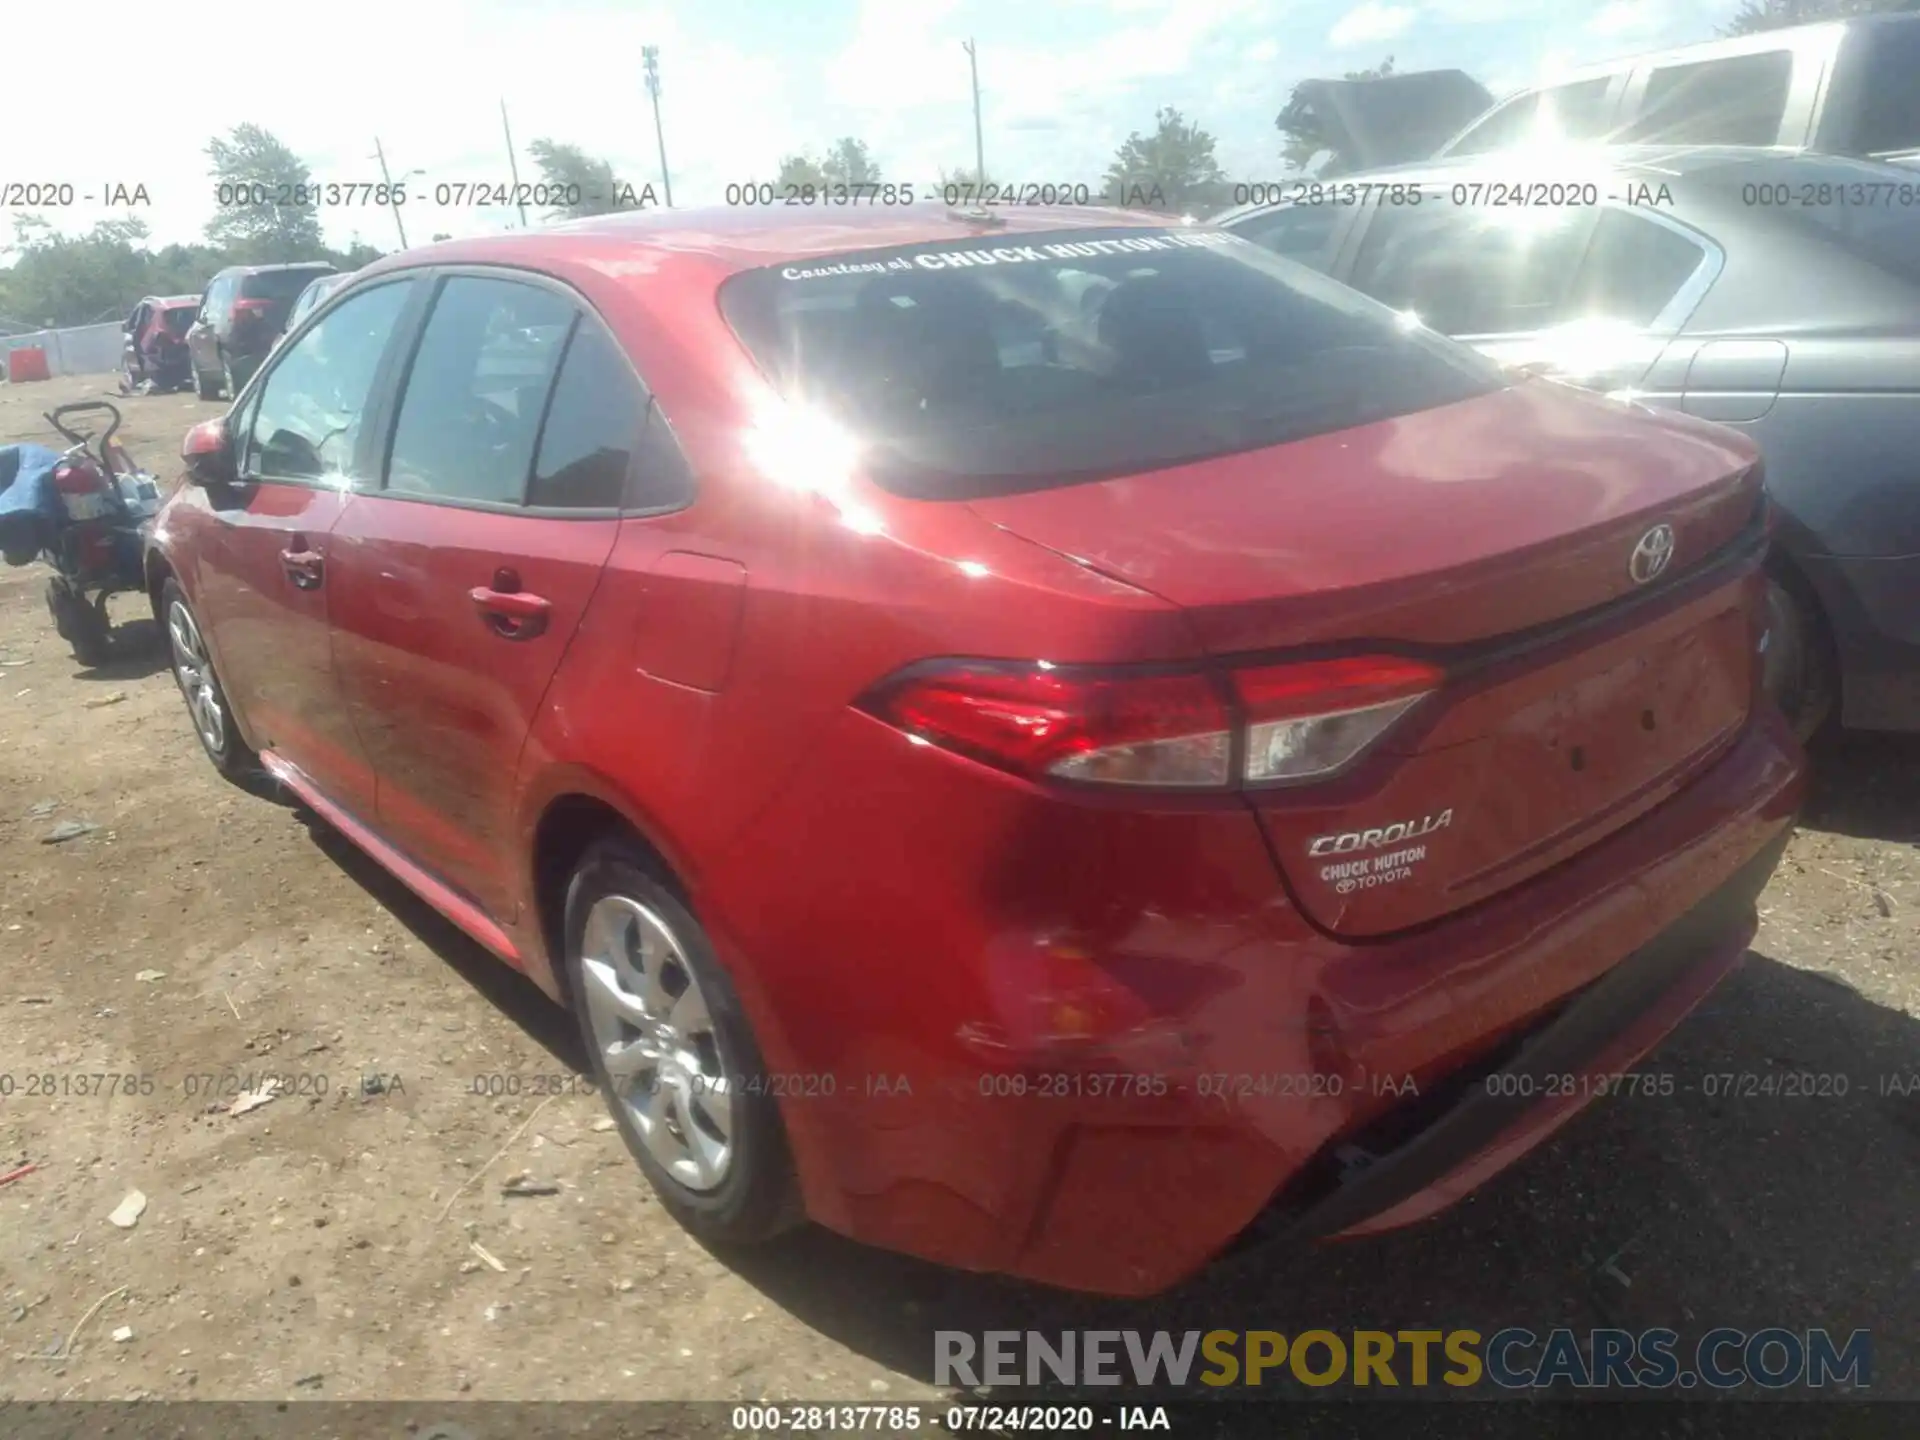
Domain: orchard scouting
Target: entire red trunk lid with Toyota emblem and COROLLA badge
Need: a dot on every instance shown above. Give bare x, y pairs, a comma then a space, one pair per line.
1497, 535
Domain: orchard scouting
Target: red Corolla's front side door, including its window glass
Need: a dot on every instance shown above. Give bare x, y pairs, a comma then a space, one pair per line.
266, 571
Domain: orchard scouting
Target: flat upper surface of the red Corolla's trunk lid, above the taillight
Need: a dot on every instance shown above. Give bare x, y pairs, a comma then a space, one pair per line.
1445, 527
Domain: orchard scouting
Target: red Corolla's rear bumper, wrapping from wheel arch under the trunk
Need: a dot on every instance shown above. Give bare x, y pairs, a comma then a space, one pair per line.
1095, 1047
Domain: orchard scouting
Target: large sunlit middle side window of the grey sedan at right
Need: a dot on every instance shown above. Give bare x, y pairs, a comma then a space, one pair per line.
1474, 272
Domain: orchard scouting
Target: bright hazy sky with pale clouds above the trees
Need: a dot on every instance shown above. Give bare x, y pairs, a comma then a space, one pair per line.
744, 84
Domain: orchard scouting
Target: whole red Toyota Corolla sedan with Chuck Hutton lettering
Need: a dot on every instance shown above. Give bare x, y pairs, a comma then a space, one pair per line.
1051, 742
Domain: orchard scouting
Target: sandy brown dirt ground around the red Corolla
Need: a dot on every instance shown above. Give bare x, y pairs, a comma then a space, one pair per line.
358, 1243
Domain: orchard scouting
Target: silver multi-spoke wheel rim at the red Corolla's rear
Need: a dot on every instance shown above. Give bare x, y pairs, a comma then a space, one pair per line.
658, 1042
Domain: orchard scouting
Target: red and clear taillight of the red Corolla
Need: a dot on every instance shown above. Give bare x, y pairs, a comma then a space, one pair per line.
1191, 731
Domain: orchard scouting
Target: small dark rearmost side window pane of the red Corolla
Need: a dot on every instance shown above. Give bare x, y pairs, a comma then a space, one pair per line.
592, 427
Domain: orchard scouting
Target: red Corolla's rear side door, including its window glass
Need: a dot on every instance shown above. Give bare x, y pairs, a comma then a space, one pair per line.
466, 575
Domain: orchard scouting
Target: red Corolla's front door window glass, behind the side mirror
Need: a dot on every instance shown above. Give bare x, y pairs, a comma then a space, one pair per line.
314, 402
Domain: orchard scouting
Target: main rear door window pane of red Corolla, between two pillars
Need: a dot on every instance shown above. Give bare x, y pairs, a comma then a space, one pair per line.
469, 418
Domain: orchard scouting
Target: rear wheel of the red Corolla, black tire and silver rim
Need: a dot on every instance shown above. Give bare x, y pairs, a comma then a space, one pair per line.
690, 1095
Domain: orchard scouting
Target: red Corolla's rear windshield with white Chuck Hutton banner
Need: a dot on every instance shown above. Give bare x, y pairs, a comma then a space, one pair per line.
1009, 364
